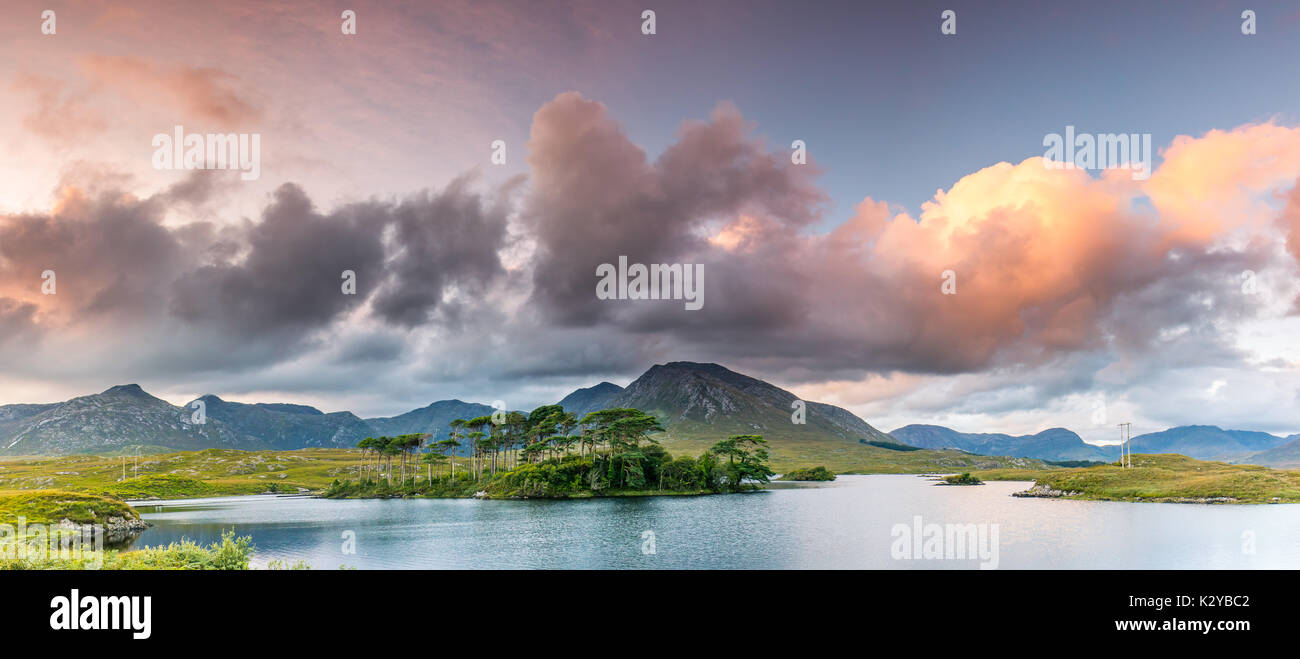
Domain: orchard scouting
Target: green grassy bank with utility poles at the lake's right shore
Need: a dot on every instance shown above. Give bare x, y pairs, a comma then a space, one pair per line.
1165, 479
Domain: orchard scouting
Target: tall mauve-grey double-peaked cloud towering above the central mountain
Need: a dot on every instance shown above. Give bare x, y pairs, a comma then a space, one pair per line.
596, 197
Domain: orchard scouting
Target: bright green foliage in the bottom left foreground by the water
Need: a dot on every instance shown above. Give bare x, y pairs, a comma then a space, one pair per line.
232, 553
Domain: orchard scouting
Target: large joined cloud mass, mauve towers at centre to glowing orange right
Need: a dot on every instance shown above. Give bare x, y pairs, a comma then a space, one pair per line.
1048, 263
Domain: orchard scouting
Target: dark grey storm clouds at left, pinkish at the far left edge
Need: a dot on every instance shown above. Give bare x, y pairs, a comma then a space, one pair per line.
235, 296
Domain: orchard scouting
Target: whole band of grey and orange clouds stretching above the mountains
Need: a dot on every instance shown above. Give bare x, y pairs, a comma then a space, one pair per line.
1068, 285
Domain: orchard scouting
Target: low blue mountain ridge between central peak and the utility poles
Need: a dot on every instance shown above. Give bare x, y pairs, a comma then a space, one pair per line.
1055, 444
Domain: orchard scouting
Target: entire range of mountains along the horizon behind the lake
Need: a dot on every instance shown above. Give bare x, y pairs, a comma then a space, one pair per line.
697, 404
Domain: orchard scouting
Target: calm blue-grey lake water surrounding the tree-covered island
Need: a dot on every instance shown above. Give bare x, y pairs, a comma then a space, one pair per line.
857, 522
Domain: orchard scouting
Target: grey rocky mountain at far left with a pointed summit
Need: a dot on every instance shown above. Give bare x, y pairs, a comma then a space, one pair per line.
120, 418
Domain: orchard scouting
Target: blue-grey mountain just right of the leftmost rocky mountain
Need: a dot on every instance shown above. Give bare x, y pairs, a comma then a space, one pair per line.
287, 427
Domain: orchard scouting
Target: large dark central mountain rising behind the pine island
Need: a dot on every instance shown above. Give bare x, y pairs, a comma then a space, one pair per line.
708, 402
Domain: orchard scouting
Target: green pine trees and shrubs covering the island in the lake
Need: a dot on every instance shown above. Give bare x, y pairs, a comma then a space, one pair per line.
552, 453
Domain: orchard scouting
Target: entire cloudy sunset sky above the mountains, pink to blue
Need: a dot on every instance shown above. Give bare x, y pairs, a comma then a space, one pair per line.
924, 265
